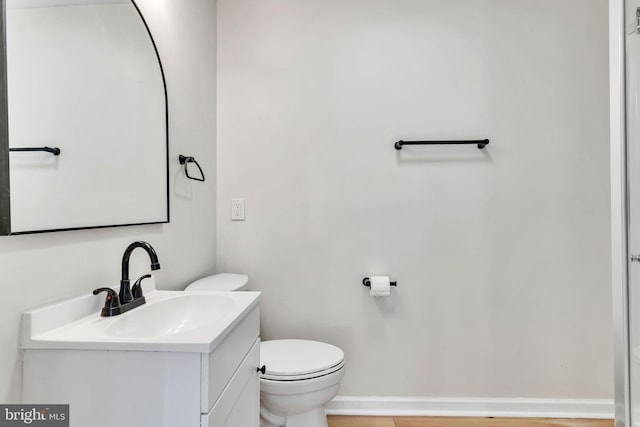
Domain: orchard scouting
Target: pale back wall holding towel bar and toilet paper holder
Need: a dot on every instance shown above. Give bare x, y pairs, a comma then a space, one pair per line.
502, 256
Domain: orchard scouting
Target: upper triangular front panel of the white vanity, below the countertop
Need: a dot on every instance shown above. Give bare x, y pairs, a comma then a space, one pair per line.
220, 365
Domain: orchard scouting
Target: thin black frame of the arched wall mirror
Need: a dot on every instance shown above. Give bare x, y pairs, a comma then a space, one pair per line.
5, 188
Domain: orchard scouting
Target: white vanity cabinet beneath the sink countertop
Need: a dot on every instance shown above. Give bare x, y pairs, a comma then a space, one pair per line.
134, 388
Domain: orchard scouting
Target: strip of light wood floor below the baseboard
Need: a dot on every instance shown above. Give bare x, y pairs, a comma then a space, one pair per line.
342, 421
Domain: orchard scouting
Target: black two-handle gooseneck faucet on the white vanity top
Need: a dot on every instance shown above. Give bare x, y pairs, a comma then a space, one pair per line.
125, 300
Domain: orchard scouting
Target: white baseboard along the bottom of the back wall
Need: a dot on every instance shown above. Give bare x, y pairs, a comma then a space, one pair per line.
471, 407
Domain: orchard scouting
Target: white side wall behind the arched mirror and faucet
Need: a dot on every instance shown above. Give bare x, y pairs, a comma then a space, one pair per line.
37, 269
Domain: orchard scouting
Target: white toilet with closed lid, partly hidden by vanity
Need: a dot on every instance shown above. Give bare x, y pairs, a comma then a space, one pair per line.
300, 376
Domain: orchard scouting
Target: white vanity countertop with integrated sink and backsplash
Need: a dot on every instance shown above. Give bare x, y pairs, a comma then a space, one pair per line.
174, 321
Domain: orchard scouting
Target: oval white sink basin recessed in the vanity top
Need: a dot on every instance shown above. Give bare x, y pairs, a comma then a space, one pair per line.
171, 316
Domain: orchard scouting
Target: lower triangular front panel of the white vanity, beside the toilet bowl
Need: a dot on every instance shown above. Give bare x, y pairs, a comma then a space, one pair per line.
239, 403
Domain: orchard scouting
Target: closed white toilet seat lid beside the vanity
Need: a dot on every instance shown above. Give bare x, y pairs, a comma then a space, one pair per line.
298, 357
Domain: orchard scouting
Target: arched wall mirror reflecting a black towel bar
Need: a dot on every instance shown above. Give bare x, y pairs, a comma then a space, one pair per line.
87, 117
